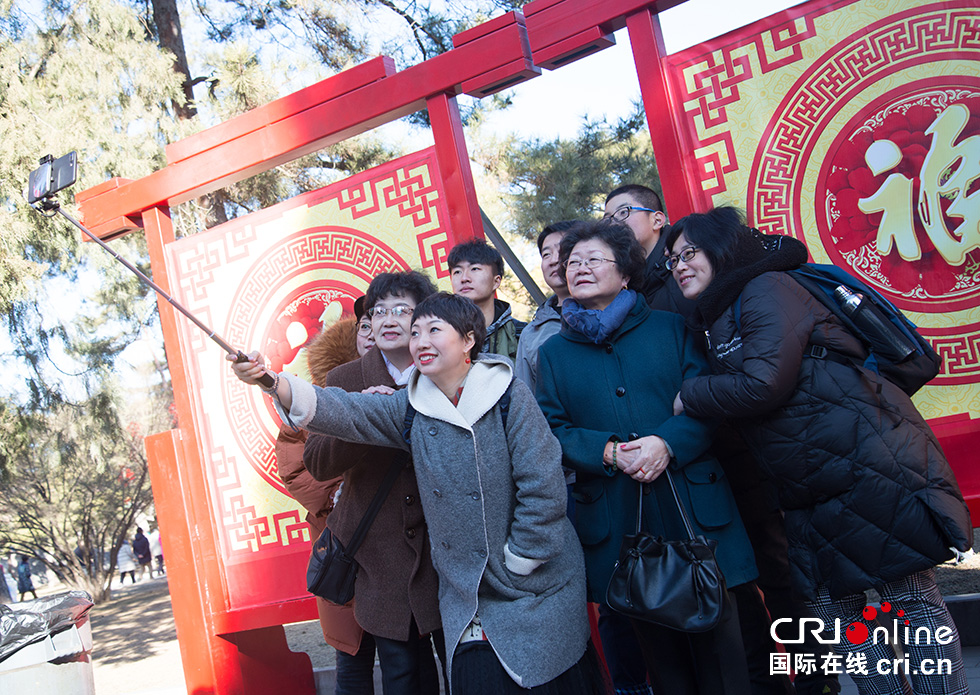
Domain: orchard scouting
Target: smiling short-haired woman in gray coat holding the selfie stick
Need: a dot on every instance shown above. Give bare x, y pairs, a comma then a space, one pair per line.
511, 577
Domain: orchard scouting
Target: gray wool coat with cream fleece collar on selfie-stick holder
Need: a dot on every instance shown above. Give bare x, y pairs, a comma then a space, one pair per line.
494, 503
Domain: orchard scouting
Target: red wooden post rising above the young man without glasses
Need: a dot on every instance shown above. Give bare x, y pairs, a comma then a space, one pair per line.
454, 164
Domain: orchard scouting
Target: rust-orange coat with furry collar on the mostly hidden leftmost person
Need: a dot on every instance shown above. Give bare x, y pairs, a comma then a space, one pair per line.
330, 348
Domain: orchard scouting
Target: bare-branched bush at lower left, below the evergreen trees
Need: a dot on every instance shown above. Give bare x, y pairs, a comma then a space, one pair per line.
72, 482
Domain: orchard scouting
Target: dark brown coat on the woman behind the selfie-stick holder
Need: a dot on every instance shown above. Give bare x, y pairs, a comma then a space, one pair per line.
396, 581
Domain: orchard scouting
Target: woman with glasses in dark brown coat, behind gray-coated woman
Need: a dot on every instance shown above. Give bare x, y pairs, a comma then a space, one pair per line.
396, 599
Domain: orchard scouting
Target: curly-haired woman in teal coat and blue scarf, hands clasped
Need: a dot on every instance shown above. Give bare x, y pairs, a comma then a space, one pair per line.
606, 384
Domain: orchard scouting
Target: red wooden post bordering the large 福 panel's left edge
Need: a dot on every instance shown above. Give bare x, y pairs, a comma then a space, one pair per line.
647, 42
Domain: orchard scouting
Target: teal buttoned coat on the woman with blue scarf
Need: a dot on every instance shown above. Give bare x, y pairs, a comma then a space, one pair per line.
624, 389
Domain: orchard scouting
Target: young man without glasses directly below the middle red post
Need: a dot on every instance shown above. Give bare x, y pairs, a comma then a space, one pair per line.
475, 270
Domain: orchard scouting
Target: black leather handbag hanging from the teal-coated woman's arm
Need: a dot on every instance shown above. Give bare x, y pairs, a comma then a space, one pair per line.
677, 584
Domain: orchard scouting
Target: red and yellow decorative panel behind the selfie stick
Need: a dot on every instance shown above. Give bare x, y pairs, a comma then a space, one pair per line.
270, 281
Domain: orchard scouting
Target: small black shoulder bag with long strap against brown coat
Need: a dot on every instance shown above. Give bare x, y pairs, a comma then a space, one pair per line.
333, 569
